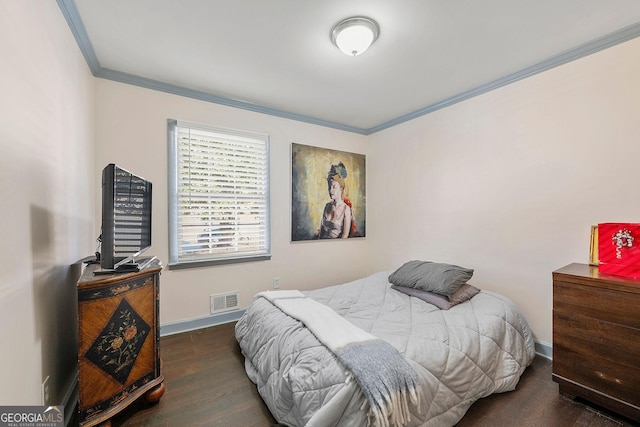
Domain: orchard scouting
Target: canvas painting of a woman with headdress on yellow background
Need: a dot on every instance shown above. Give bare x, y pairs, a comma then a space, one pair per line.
328, 199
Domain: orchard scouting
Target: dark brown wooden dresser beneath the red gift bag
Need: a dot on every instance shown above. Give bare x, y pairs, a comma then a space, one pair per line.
596, 337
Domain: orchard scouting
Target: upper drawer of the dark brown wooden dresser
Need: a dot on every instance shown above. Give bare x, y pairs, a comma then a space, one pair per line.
599, 303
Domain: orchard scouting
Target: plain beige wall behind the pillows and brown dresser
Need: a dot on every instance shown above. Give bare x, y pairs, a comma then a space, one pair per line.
509, 183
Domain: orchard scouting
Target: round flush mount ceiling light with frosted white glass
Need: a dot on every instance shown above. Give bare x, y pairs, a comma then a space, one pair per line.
354, 35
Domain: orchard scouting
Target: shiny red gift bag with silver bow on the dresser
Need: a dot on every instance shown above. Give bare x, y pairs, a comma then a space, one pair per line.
619, 249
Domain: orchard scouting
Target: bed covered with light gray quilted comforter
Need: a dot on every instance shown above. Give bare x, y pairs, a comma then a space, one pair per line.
459, 355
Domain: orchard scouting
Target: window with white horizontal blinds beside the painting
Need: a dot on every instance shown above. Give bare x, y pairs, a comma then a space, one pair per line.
218, 195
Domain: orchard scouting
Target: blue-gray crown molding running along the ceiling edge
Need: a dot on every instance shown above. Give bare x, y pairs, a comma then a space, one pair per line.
70, 13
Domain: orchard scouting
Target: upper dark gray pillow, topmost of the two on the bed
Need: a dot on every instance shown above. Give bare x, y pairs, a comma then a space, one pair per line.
443, 279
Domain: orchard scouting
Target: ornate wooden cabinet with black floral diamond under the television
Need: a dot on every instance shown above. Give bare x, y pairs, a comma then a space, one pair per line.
118, 342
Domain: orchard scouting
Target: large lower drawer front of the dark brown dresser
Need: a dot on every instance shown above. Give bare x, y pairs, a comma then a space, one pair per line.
597, 354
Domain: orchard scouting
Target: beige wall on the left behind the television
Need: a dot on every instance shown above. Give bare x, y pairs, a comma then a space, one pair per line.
46, 191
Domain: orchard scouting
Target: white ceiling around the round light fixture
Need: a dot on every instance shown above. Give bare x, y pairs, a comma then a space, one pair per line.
275, 56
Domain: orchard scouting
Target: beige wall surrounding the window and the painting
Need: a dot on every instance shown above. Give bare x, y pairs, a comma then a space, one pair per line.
131, 131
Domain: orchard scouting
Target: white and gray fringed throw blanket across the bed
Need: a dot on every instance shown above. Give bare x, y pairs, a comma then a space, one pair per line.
385, 377
